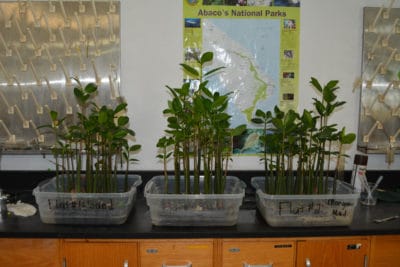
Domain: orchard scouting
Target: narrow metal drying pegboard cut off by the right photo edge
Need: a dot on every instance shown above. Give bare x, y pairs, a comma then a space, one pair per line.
379, 121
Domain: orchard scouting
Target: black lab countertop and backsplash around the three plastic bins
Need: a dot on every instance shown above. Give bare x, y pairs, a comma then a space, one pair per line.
138, 225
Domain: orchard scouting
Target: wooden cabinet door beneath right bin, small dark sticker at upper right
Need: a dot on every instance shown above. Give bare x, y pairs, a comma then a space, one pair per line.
351, 252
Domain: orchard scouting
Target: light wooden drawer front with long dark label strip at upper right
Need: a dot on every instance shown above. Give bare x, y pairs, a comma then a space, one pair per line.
239, 253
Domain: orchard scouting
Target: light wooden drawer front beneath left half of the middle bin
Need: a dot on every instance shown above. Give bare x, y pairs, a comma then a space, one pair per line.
171, 253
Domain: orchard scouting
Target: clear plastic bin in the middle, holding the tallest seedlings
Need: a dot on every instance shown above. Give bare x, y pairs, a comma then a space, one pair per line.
194, 209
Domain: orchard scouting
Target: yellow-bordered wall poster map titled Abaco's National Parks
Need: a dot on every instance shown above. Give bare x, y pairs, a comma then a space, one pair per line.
258, 43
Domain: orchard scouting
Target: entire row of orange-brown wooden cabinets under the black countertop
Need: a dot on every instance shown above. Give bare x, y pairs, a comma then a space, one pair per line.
375, 251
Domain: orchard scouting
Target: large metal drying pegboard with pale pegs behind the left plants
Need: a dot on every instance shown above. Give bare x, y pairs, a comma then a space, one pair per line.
43, 44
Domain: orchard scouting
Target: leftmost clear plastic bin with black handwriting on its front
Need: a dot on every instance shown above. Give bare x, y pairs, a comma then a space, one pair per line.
85, 208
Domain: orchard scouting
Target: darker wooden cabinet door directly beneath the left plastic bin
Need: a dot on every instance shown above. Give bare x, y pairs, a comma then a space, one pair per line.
99, 253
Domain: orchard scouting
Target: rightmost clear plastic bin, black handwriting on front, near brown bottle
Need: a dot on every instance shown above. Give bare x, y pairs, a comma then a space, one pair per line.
307, 210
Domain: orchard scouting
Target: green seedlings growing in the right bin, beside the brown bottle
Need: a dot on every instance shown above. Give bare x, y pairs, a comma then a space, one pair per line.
307, 138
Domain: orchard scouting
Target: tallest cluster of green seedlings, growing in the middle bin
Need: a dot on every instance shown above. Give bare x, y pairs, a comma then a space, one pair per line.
198, 135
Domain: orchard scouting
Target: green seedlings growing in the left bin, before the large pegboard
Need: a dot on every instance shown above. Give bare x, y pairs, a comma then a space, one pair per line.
95, 139
